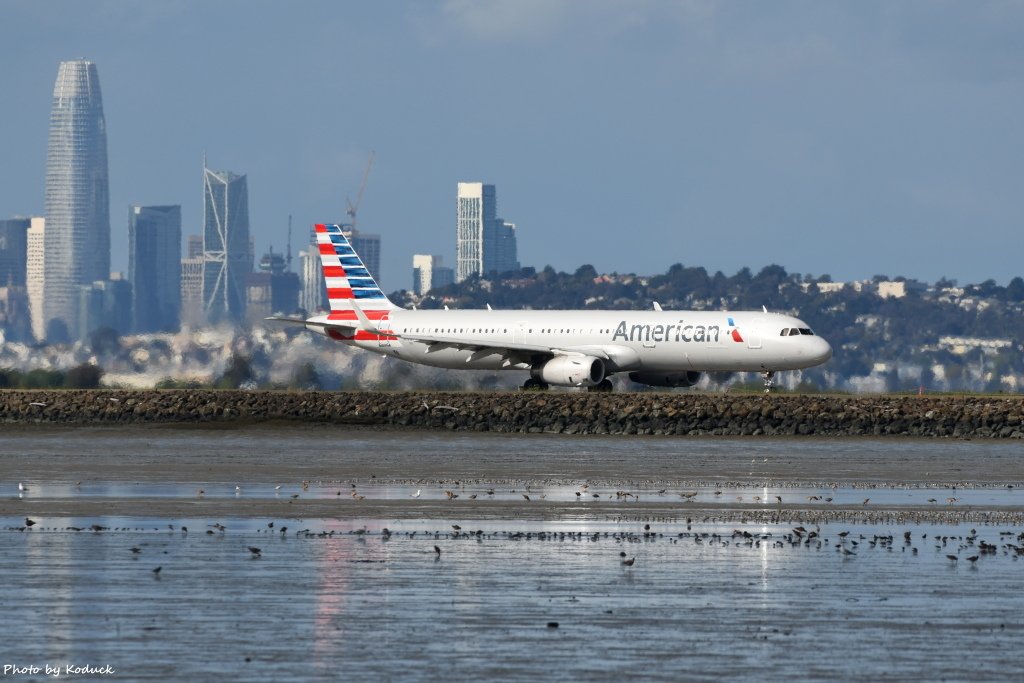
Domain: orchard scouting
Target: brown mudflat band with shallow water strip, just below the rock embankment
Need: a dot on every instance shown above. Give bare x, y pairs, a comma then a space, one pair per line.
327, 472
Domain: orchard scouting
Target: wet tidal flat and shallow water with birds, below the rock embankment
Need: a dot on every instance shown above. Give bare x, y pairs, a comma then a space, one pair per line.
336, 596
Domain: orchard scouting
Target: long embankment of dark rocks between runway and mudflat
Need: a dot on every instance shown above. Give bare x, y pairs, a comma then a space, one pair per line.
568, 413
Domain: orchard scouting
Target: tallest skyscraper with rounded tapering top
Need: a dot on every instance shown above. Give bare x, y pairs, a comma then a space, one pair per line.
78, 222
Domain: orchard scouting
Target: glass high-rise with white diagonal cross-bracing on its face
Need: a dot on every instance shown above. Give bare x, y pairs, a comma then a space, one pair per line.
227, 248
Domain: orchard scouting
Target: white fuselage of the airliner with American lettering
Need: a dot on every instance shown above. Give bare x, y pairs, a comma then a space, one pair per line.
628, 340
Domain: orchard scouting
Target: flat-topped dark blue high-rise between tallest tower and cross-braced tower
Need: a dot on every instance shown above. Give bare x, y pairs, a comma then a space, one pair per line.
155, 267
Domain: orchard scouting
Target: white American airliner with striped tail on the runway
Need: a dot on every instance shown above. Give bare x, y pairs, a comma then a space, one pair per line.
568, 349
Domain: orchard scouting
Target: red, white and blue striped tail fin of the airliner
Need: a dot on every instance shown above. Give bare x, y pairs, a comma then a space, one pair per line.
347, 276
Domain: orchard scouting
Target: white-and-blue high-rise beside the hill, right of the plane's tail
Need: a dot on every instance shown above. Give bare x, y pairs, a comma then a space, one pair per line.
485, 243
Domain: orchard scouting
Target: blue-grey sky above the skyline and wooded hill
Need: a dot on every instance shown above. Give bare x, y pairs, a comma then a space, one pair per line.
844, 139
